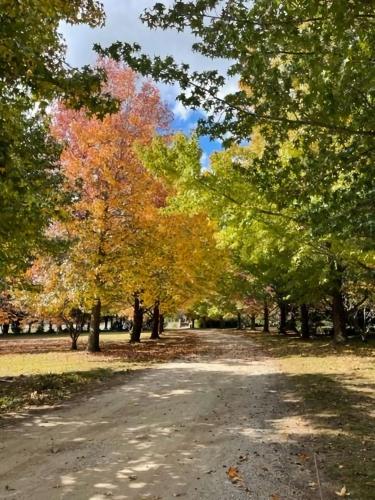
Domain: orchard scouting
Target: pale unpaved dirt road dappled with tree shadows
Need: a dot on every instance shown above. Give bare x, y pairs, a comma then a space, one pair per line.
171, 431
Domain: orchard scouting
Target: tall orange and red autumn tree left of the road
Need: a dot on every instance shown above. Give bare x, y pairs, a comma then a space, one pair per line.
112, 195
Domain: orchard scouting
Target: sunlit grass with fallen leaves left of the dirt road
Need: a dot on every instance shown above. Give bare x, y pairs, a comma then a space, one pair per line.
40, 370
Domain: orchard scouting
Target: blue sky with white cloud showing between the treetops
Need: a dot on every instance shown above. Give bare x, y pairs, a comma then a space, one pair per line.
122, 23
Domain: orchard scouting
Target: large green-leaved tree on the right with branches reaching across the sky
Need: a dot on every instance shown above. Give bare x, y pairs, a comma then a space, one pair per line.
305, 86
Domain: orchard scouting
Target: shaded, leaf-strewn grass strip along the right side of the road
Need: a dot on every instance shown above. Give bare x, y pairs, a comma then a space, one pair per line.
332, 388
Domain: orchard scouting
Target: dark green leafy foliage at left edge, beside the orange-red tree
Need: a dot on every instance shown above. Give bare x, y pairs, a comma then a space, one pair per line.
33, 72
